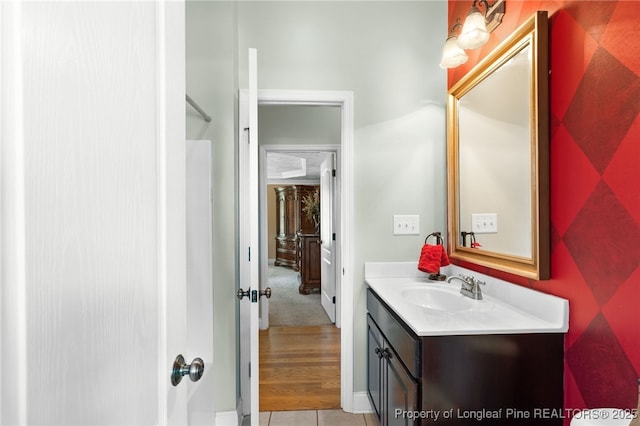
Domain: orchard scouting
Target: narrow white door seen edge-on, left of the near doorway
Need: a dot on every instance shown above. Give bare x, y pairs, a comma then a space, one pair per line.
249, 244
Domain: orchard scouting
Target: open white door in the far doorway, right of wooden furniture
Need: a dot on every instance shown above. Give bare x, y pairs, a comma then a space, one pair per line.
327, 237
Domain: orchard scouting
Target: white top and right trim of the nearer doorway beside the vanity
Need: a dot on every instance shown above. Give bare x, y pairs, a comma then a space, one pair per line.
344, 259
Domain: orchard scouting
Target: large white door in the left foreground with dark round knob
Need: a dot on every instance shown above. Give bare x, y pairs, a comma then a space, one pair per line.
92, 220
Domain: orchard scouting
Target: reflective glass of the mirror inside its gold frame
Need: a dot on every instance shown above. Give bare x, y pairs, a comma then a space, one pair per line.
493, 148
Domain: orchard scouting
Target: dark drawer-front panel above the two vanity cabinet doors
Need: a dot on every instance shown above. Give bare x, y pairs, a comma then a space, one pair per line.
404, 343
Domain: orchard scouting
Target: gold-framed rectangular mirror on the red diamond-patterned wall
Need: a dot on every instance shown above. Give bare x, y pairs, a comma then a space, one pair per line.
498, 157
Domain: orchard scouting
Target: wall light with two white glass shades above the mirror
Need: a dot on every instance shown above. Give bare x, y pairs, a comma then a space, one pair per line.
475, 31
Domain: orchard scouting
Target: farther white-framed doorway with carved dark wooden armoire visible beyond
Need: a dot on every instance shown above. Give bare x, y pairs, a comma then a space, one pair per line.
292, 248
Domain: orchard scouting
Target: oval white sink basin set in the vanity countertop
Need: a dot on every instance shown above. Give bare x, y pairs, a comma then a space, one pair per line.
446, 299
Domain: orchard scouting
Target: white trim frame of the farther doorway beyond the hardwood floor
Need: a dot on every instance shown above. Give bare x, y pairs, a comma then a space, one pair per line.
264, 226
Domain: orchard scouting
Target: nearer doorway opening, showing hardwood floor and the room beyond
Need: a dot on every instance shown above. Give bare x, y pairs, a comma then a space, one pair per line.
299, 343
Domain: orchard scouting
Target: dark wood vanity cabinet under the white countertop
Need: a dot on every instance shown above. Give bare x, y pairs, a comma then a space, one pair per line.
497, 379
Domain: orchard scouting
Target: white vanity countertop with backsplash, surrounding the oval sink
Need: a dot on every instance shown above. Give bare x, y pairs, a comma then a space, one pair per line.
506, 308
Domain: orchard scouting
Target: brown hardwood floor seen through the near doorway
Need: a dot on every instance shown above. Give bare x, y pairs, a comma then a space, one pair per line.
300, 368
